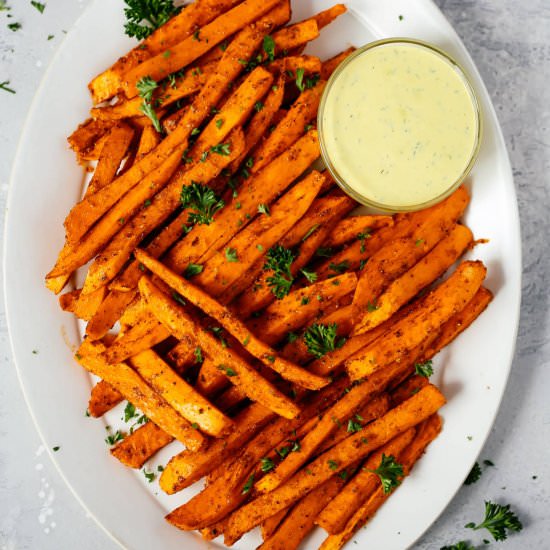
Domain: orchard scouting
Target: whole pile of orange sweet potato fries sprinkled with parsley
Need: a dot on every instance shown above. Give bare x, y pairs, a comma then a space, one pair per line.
231, 297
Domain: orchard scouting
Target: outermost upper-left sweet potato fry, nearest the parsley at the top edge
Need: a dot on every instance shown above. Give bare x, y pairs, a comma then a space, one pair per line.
106, 85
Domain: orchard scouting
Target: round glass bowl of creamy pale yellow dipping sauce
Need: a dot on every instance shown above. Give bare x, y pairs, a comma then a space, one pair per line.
400, 125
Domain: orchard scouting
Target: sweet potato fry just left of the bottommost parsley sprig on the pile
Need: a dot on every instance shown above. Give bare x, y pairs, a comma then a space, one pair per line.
334, 517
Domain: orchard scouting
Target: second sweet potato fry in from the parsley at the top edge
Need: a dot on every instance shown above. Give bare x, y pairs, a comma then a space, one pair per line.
189, 49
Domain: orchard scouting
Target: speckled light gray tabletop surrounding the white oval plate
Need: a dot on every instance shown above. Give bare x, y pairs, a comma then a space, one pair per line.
510, 42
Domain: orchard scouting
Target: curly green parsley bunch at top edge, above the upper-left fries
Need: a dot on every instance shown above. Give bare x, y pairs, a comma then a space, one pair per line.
144, 16
